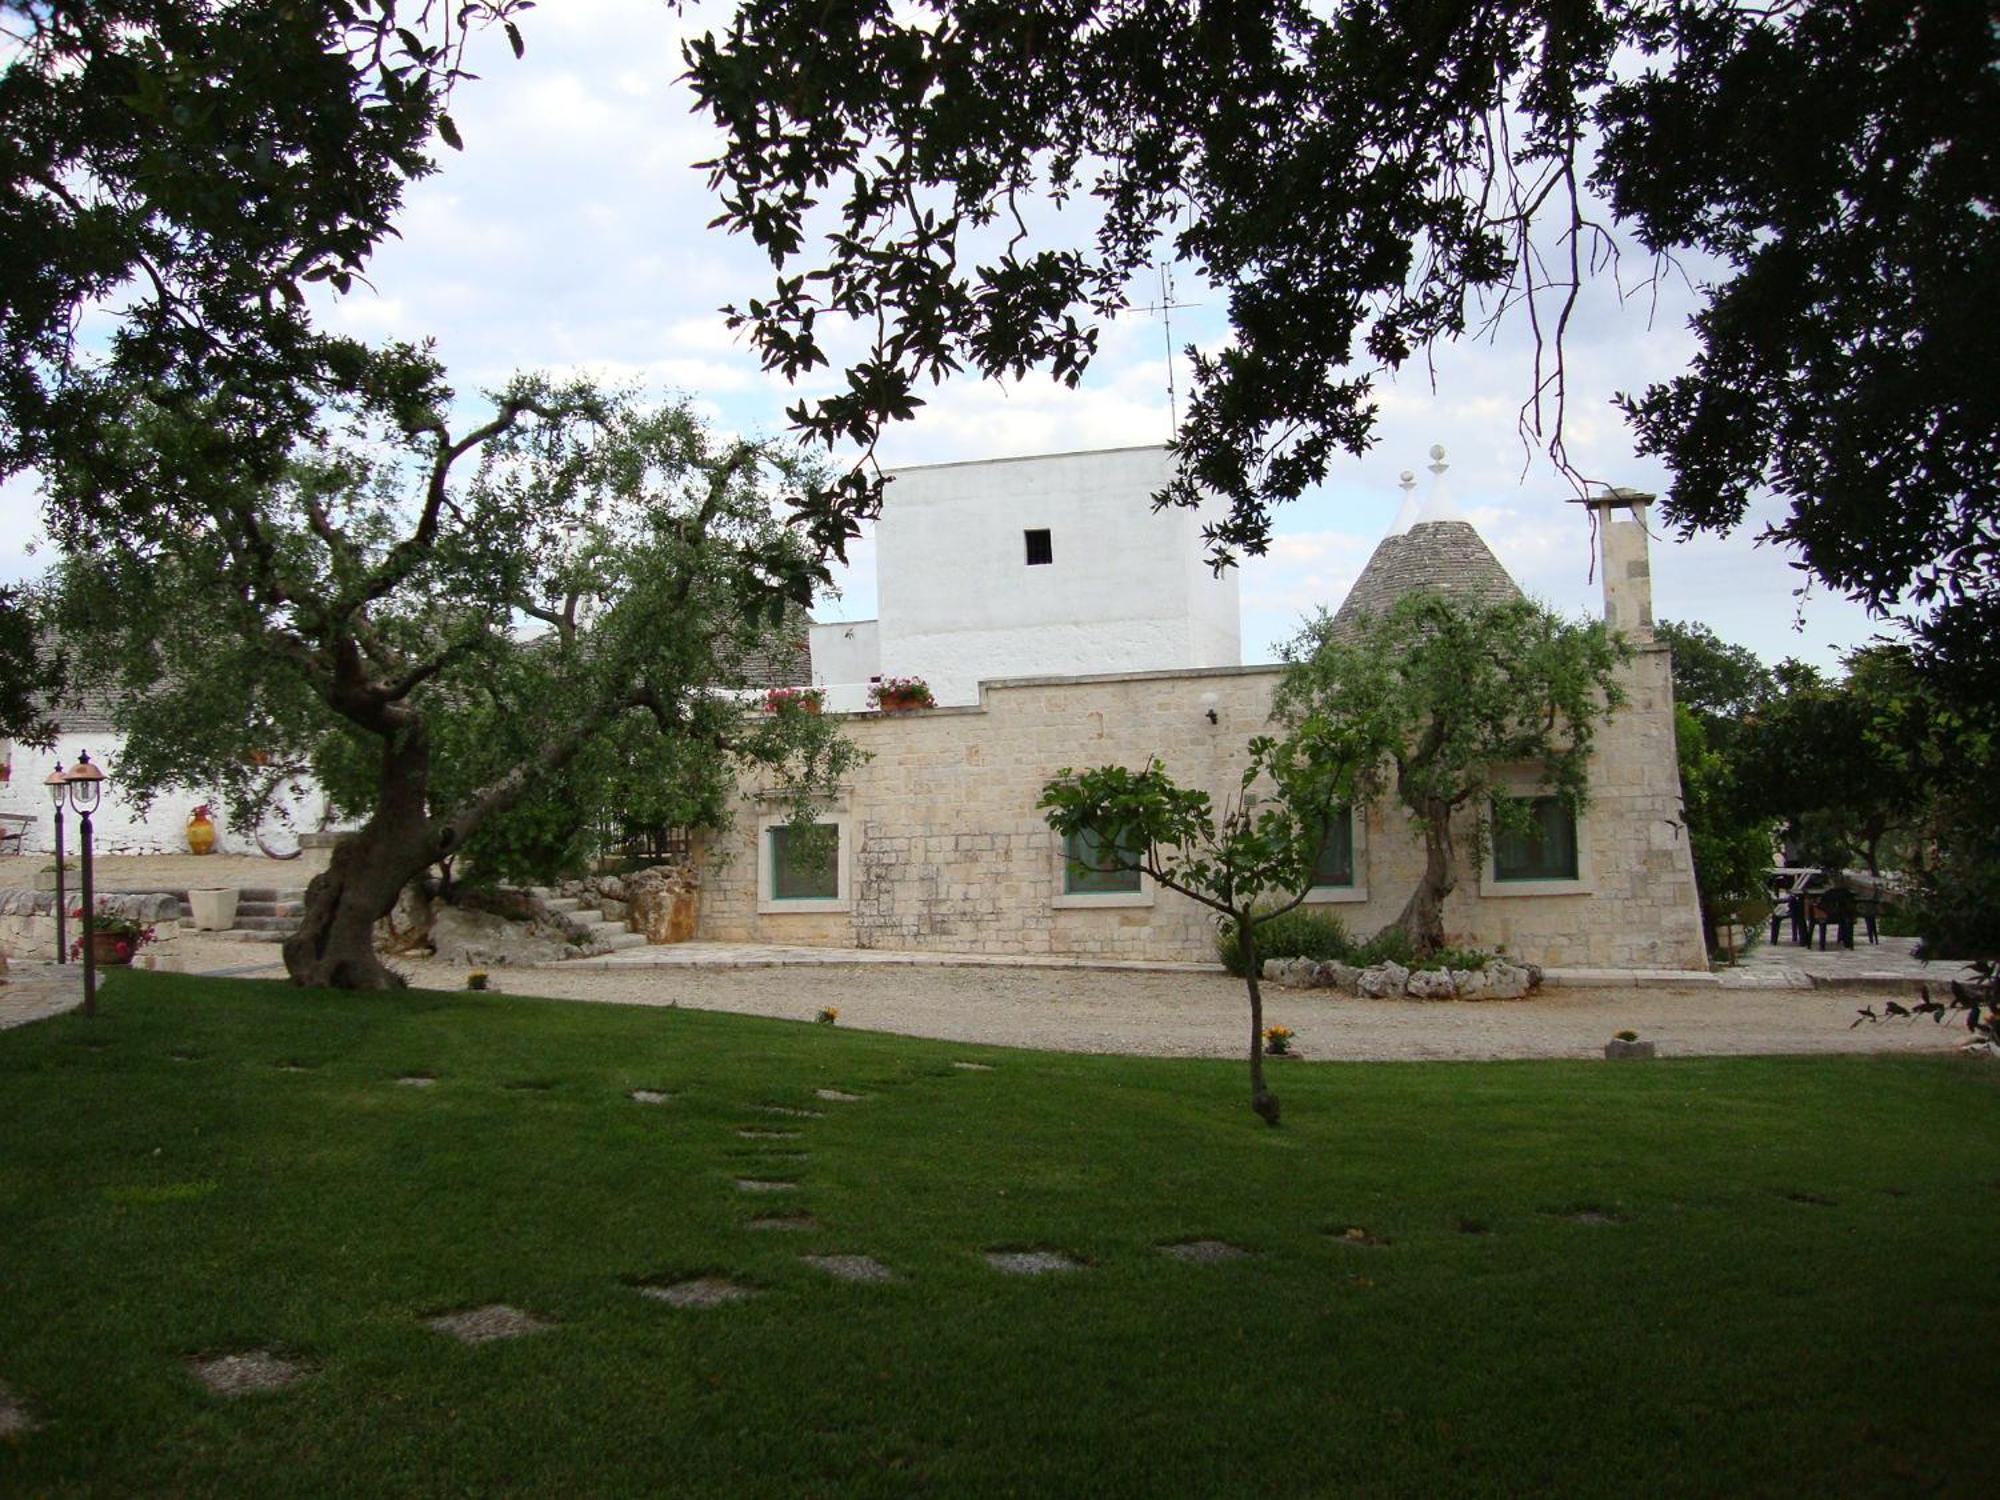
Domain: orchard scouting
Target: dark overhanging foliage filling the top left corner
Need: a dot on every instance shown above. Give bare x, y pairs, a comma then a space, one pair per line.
179, 177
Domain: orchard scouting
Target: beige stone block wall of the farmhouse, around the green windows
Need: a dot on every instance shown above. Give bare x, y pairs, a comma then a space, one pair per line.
949, 853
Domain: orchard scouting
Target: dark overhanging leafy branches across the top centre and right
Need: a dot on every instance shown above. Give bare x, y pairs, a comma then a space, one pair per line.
1825, 163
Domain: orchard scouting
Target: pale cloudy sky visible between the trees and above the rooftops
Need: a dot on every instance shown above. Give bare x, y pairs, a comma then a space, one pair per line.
571, 237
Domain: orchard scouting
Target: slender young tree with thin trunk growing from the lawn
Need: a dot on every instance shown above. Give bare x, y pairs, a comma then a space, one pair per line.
1235, 861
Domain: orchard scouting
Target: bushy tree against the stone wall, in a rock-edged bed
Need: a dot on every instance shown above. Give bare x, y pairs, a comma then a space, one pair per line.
1447, 697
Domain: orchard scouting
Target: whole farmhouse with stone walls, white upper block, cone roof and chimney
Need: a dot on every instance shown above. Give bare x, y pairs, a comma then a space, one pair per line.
1063, 623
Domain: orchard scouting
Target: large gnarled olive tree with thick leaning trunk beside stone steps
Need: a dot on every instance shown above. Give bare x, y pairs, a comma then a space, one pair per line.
445, 647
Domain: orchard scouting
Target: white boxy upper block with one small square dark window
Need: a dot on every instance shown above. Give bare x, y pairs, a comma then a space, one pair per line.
1025, 567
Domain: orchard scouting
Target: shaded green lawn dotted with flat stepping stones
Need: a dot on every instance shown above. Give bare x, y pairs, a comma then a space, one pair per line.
1793, 1291
